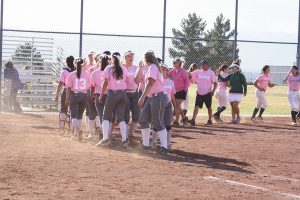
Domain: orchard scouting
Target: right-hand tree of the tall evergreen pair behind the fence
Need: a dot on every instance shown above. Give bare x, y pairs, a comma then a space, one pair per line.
220, 50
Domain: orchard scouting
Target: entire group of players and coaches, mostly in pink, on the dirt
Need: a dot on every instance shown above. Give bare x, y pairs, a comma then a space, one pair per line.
111, 89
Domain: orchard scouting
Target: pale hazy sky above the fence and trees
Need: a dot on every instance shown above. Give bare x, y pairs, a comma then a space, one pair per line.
269, 20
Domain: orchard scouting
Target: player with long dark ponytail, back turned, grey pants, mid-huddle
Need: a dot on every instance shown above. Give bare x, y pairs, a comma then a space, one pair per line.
115, 80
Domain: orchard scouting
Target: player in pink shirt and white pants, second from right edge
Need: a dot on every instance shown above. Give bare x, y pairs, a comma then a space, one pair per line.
262, 83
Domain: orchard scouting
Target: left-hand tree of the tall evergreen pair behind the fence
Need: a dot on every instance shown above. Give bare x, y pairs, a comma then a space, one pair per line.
186, 42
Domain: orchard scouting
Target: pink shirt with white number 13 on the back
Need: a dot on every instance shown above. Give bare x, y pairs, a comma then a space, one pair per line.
79, 85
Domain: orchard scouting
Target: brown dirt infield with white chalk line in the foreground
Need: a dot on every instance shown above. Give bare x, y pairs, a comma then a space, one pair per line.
246, 161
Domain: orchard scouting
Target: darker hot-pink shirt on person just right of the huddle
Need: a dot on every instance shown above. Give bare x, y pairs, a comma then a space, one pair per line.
181, 79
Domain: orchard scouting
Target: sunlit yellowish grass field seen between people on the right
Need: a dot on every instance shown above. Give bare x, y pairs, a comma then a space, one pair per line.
277, 99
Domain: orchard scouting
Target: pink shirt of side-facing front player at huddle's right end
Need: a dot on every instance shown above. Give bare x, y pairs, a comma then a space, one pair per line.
154, 73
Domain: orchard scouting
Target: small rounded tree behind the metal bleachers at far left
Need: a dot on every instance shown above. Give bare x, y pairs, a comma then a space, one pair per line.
27, 52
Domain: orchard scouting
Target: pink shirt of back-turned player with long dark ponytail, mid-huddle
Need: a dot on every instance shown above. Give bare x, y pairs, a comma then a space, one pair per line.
113, 83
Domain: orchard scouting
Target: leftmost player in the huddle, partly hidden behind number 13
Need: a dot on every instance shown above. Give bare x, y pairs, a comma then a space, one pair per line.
63, 84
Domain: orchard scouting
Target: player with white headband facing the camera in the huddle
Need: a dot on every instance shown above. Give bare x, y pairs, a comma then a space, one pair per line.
132, 94
